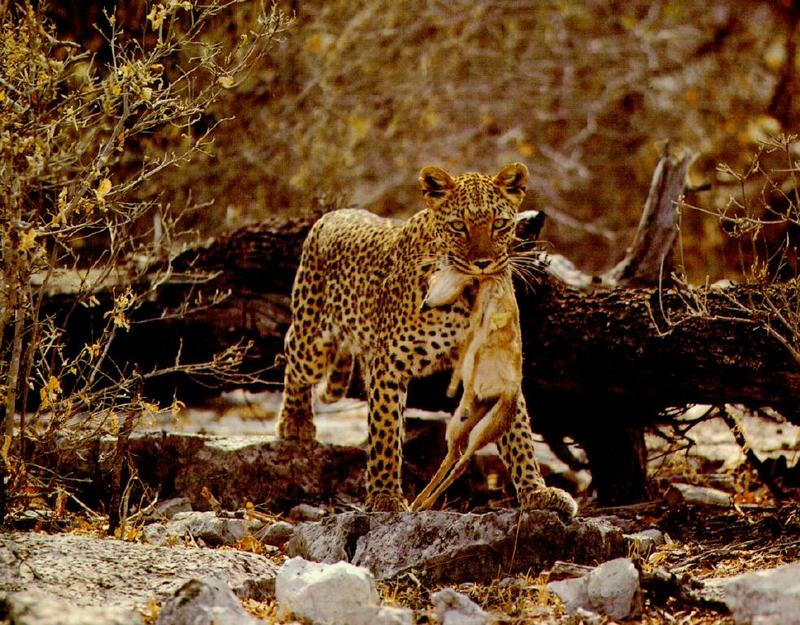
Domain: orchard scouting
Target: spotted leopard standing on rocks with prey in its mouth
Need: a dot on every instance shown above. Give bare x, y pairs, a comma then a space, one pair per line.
358, 298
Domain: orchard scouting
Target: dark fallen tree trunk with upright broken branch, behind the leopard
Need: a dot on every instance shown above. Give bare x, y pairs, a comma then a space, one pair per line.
599, 364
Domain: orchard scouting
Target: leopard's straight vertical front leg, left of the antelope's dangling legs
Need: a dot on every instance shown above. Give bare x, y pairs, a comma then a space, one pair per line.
387, 403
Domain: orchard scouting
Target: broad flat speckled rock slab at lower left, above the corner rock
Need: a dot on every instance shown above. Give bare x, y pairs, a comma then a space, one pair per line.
101, 572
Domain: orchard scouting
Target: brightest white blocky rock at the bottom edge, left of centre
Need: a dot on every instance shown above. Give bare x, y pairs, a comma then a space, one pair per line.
327, 594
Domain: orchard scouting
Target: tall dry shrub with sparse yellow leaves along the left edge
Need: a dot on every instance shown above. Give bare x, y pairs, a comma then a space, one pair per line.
81, 143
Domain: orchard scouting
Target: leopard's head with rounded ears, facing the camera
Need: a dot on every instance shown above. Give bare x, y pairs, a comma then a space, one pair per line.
474, 215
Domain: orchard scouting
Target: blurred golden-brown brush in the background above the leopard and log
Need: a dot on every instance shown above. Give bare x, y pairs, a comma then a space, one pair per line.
357, 96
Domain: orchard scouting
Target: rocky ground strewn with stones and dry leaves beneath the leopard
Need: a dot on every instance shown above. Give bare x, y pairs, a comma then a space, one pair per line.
713, 546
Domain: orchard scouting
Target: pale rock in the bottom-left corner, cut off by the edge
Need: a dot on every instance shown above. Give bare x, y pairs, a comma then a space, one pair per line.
40, 608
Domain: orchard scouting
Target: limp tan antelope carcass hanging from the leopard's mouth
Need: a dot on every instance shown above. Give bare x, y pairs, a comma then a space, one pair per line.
490, 367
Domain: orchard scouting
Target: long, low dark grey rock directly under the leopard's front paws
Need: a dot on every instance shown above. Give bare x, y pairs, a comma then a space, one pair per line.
450, 547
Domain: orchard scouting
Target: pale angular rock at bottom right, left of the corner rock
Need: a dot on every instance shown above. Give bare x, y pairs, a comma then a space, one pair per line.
611, 589
